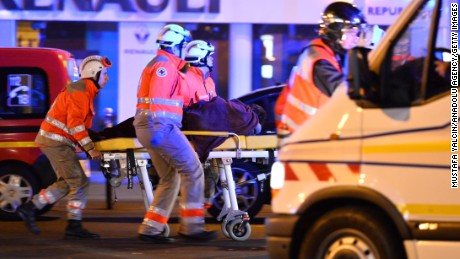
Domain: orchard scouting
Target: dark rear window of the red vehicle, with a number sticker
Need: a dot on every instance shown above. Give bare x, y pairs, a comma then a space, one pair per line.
23, 93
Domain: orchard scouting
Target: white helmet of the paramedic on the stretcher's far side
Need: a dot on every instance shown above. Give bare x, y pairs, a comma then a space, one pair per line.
197, 52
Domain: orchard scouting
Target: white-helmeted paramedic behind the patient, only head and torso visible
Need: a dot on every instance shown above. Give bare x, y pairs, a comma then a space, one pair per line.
200, 85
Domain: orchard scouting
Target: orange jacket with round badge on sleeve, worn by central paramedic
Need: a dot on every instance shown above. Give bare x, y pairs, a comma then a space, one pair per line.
160, 86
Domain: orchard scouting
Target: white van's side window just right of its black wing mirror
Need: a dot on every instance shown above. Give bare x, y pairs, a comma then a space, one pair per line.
405, 62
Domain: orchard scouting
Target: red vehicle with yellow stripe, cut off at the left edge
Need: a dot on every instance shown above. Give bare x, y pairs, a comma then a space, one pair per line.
30, 80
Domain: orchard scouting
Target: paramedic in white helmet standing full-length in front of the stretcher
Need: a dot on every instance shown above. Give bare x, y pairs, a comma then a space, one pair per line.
157, 123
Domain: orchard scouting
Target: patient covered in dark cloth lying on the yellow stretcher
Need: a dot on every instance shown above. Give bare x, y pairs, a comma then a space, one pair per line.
216, 115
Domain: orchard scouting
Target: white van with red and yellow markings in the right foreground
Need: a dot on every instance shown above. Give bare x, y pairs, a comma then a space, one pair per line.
374, 173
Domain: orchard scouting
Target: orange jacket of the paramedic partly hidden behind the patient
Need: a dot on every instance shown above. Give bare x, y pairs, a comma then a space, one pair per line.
199, 87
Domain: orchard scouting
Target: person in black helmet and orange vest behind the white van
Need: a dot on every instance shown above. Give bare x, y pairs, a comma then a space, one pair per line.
319, 68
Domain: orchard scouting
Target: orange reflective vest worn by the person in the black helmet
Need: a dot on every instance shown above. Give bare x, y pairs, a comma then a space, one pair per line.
301, 98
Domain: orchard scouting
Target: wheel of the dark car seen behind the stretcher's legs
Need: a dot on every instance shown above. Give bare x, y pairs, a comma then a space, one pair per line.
250, 196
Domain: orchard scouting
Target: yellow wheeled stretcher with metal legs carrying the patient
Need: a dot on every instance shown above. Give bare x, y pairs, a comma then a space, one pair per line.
132, 158
